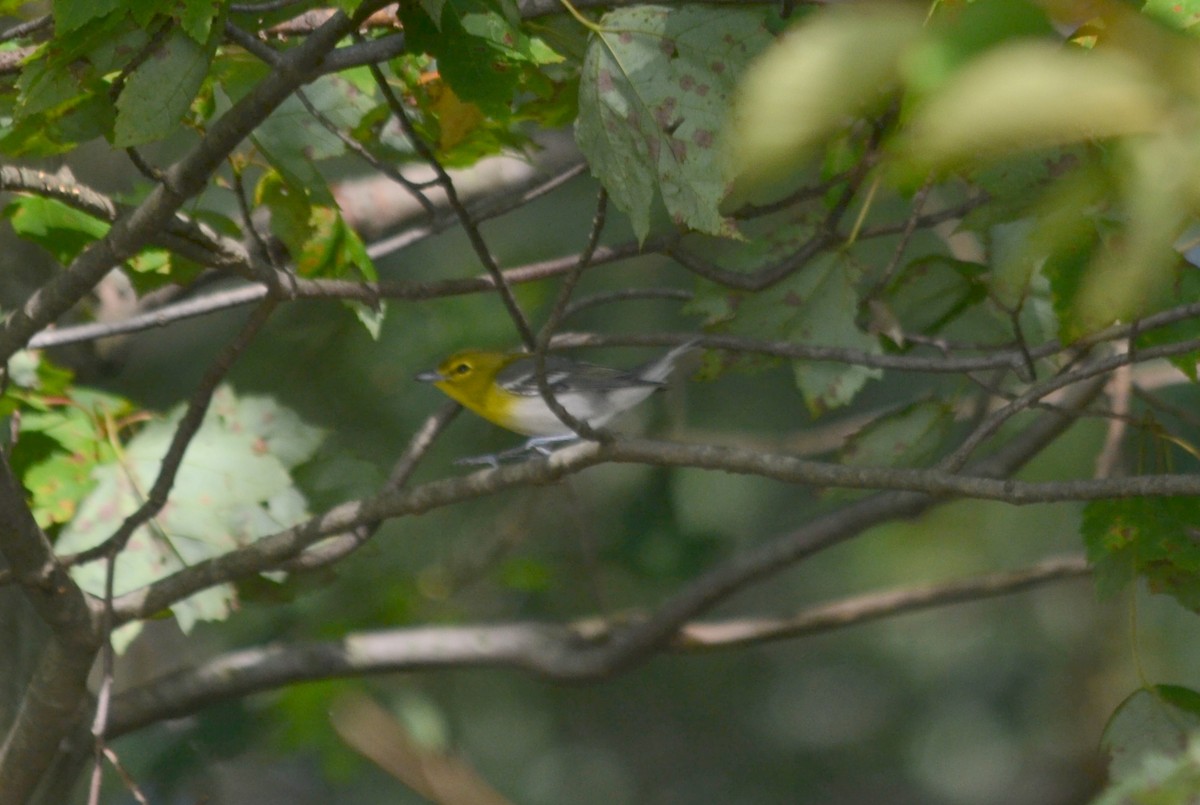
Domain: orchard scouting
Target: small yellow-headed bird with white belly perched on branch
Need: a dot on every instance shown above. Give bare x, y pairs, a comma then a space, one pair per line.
503, 389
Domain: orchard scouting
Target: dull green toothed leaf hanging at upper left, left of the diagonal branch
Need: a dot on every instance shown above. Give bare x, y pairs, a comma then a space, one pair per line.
161, 91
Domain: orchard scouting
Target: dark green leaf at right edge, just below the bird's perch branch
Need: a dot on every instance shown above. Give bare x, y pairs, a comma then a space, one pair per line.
1154, 538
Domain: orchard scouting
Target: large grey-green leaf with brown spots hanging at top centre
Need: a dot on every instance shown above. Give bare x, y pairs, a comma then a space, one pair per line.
655, 97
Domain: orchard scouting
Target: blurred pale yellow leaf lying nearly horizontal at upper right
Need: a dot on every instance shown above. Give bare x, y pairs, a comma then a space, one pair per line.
1031, 95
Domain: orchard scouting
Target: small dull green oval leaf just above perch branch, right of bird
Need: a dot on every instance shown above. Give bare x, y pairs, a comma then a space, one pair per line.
909, 437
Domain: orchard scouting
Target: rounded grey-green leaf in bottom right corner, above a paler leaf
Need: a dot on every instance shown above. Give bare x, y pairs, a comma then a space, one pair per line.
1161, 722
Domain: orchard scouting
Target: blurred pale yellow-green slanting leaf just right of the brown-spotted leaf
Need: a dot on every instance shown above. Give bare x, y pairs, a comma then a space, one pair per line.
813, 82
